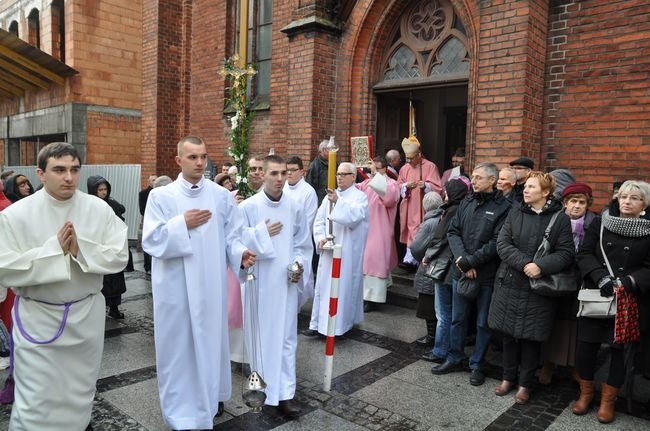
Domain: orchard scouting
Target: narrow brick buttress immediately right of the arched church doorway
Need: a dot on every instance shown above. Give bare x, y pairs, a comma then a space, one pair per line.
508, 105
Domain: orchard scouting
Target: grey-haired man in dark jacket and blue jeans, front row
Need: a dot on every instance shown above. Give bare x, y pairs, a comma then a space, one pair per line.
472, 237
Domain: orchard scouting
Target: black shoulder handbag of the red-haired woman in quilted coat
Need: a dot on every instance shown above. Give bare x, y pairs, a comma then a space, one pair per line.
562, 283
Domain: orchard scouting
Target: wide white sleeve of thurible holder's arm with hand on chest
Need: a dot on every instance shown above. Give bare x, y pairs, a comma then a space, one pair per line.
164, 234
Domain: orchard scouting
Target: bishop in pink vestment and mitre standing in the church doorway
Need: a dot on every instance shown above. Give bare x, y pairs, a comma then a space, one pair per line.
416, 178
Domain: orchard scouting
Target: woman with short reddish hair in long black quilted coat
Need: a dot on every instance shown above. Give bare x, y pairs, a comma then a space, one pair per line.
523, 317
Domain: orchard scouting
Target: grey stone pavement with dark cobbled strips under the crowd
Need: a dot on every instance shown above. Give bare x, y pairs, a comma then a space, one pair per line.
379, 383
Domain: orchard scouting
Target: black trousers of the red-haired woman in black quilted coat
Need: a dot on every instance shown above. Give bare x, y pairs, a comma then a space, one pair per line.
520, 356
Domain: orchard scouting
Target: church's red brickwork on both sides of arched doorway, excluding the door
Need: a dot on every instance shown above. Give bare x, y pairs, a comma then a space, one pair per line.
564, 82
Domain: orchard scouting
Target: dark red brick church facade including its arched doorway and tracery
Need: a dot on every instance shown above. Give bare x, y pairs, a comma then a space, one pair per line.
564, 82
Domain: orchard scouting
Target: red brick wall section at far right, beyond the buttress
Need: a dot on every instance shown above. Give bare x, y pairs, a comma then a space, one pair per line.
597, 99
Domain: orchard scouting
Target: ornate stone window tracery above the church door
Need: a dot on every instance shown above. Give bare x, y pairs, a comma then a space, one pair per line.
429, 43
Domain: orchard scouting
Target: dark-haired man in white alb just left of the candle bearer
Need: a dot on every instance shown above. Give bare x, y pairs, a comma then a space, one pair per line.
303, 193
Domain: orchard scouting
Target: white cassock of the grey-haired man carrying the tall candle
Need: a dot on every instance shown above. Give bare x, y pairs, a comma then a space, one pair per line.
350, 224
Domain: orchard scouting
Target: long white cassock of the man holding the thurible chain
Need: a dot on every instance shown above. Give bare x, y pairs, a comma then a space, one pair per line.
189, 286
